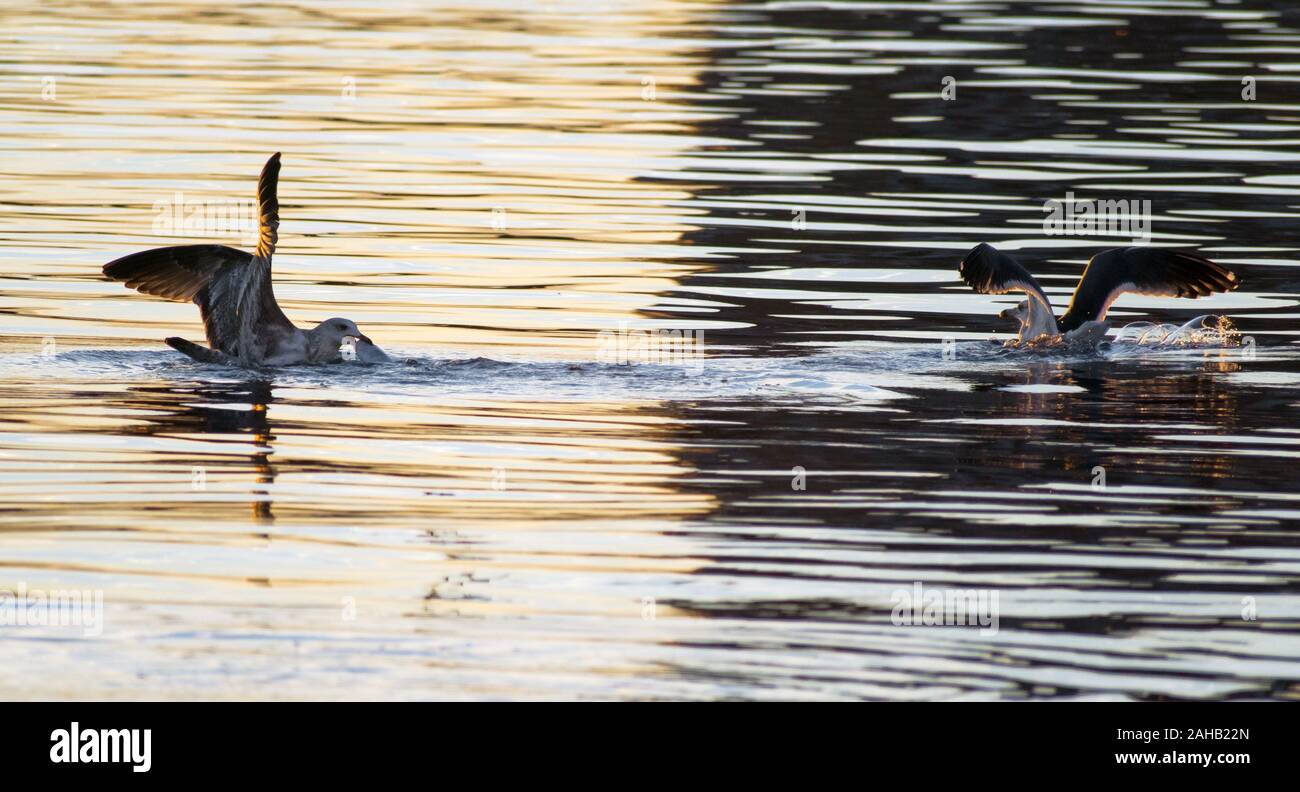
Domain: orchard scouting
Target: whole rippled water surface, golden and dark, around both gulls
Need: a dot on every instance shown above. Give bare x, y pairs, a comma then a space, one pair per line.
502, 513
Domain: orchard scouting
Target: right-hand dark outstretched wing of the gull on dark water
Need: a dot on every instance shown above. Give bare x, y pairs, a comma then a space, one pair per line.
1156, 271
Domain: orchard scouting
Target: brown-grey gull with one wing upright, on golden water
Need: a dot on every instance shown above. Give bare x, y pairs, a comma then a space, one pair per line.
242, 321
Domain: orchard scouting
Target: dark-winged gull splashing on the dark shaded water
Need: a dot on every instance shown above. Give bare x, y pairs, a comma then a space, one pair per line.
1154, 271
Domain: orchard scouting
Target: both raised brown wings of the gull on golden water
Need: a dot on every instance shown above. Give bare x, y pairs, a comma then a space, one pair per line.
231, 287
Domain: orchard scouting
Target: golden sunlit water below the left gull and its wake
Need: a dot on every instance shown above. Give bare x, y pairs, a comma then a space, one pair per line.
311, 507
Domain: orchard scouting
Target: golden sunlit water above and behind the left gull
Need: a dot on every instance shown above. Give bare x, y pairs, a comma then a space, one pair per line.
465, 178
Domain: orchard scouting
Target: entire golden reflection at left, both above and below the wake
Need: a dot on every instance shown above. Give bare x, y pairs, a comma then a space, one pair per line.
466, 179
